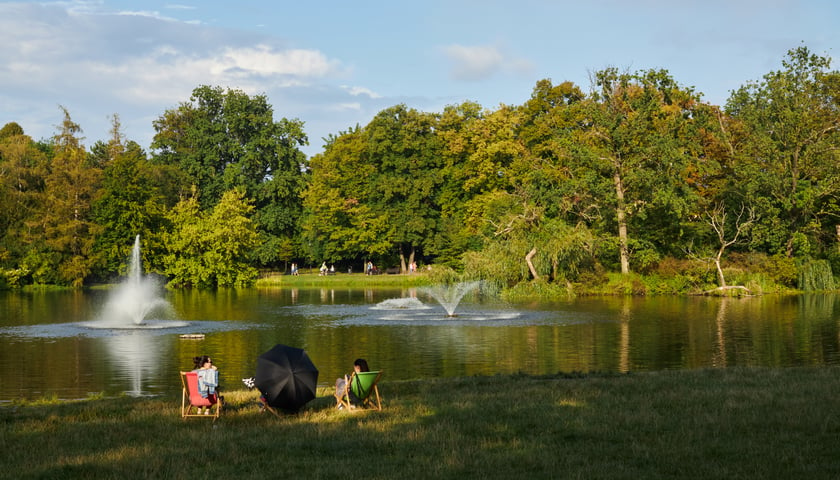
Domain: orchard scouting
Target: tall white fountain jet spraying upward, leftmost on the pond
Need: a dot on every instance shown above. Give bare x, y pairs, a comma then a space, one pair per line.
132, 303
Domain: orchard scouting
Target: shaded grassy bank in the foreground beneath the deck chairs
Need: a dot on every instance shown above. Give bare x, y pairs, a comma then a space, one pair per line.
738, 423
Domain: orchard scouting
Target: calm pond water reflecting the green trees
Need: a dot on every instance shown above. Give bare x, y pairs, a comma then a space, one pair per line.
48, 346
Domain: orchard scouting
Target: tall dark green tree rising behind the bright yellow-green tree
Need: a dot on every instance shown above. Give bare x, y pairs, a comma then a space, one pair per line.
225, 139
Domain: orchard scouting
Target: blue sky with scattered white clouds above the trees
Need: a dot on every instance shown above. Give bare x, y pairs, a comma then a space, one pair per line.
335, 65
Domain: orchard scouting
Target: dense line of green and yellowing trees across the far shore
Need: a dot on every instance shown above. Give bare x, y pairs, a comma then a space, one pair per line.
636, 175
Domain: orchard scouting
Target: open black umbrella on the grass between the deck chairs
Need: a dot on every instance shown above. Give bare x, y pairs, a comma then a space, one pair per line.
286, 377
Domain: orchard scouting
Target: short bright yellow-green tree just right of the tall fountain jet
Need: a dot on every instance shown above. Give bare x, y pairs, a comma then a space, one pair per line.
211, 248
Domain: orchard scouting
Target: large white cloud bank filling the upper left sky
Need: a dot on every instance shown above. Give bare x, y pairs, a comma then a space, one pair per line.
140, 64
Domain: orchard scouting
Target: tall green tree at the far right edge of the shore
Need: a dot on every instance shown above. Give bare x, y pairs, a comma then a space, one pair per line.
787, 161
